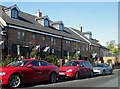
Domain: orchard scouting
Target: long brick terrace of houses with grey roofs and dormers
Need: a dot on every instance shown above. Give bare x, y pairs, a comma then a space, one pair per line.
25, 32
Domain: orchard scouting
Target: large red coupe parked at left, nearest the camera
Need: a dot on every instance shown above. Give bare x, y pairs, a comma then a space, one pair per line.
27, 70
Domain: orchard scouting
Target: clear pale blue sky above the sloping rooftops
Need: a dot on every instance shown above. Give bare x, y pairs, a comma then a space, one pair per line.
101, 18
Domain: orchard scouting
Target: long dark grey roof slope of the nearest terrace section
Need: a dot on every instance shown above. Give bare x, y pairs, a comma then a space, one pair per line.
28, 21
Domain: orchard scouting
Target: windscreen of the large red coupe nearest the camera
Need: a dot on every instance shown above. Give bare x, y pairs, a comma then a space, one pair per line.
19, 63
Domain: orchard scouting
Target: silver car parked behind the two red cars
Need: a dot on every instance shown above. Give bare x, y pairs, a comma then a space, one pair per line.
102, 69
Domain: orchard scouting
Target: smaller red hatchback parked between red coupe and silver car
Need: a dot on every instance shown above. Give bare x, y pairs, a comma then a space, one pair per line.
76, 69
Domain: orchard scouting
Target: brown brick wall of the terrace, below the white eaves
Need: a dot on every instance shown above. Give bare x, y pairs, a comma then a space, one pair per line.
60, 45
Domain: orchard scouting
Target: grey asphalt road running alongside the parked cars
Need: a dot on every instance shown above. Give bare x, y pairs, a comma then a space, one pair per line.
96, 81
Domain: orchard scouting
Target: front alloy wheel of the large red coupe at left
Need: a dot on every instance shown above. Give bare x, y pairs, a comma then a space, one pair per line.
14, 81
